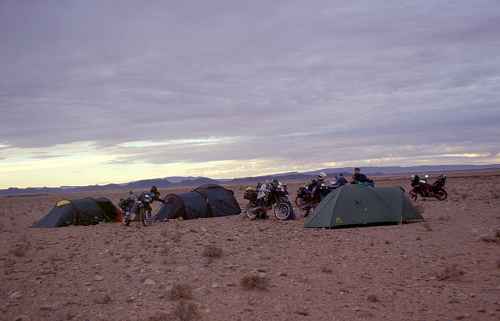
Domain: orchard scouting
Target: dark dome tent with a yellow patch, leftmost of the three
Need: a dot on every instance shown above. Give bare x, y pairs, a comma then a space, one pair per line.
86, 211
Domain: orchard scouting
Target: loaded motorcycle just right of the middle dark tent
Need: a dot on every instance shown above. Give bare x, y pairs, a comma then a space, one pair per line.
269, 196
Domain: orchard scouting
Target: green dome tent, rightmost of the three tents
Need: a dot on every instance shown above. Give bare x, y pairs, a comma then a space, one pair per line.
356, 205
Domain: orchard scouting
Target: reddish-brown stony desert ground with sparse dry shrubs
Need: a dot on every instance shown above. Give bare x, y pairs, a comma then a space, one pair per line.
446, 268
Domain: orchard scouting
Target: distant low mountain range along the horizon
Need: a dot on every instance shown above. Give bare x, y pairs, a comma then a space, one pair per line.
190, 181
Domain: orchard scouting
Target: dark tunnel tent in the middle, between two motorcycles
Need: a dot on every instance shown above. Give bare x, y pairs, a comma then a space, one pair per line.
205, 201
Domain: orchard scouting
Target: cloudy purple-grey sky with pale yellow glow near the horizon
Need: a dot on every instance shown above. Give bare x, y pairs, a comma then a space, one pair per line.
97, 91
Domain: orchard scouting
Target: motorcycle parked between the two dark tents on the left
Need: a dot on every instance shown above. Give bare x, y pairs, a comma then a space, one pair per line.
137, 208
